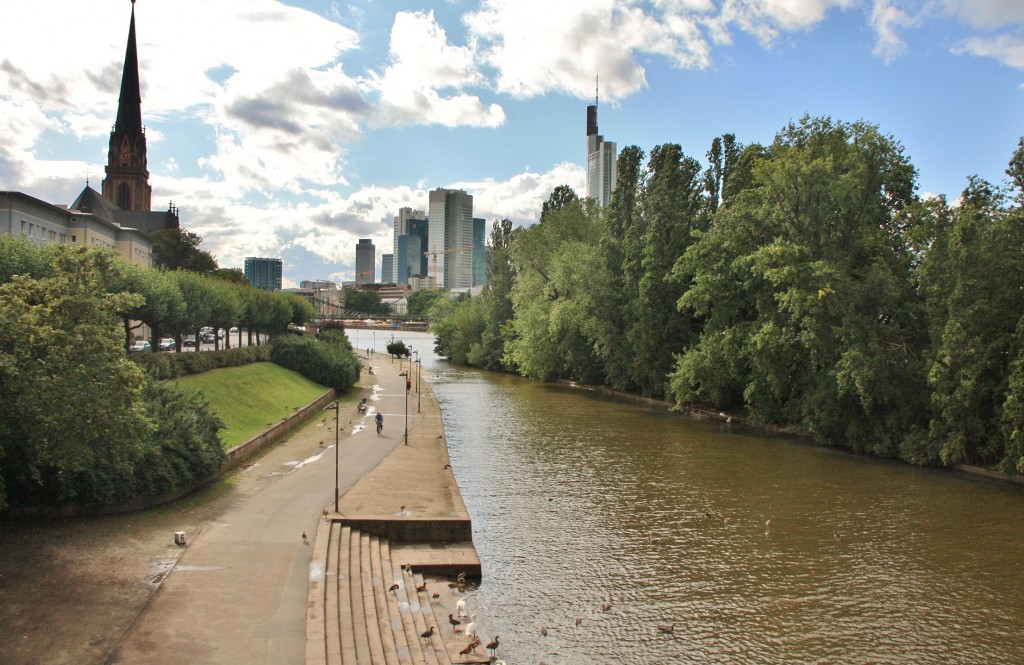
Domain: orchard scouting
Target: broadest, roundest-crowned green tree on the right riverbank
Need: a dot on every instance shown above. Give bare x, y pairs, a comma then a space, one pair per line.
803, 282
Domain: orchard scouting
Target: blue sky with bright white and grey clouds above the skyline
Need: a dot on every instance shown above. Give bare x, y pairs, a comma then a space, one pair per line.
293, 130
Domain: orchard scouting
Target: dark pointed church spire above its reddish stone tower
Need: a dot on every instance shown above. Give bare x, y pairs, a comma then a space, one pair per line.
127, 182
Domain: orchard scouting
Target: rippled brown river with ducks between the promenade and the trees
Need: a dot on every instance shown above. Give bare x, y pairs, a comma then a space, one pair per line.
598, 521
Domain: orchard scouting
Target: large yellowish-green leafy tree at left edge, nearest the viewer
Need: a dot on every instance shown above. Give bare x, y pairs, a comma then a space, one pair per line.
60, 338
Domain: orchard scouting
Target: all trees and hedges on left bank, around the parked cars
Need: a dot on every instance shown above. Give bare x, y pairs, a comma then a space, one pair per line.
81, 422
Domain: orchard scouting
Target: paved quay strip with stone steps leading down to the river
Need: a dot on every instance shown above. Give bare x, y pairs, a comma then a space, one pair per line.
387, 566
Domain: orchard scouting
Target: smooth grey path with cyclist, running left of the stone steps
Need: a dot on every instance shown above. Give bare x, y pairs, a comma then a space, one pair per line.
239, 594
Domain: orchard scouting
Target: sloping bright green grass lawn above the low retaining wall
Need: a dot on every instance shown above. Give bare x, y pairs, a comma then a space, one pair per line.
249, 399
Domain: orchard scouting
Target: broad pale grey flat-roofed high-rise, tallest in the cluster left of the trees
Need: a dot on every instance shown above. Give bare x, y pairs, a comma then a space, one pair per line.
451, 239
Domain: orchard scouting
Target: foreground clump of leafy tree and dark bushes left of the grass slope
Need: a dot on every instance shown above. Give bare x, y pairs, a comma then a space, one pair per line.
80, 422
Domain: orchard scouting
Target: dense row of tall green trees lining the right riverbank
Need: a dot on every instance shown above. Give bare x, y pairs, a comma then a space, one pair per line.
804, 282
